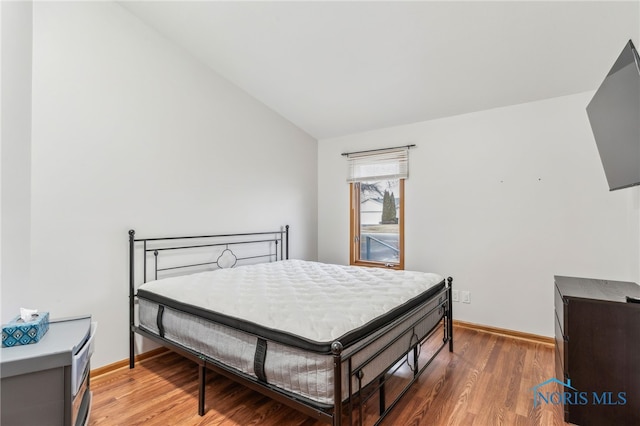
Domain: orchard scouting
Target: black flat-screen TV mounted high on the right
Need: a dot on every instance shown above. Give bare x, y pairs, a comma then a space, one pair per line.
614, 114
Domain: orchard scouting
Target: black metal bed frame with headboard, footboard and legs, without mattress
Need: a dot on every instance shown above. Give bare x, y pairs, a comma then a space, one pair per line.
280, 239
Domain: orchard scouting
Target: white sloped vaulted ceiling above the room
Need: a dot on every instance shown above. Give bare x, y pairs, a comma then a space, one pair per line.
337, 68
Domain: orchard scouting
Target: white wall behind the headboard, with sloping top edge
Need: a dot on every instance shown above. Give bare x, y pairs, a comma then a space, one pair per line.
131, 132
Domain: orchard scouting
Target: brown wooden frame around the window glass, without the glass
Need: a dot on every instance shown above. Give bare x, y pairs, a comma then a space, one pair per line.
354, 234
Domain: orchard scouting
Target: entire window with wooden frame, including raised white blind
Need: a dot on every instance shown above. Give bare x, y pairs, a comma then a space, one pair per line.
377, 207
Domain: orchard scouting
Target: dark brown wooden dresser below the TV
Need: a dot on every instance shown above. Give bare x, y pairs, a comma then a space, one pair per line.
598, 350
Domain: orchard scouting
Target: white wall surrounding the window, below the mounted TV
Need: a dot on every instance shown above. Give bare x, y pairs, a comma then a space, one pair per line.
501, 200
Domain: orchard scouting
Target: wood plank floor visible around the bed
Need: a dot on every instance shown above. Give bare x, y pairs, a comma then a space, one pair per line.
486, 381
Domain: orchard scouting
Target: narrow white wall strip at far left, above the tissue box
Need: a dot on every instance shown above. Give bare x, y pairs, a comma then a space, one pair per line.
16, 155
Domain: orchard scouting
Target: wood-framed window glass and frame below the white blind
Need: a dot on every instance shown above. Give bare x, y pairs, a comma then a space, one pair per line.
377, 223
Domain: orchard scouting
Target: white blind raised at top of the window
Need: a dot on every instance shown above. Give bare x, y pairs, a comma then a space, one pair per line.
384, 164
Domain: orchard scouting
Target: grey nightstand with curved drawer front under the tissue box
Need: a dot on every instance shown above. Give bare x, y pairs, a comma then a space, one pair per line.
47, 383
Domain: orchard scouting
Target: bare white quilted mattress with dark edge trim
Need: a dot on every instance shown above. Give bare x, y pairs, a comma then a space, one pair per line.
300, 308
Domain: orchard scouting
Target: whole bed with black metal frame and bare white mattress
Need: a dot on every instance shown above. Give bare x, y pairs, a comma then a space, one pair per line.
325, 339
